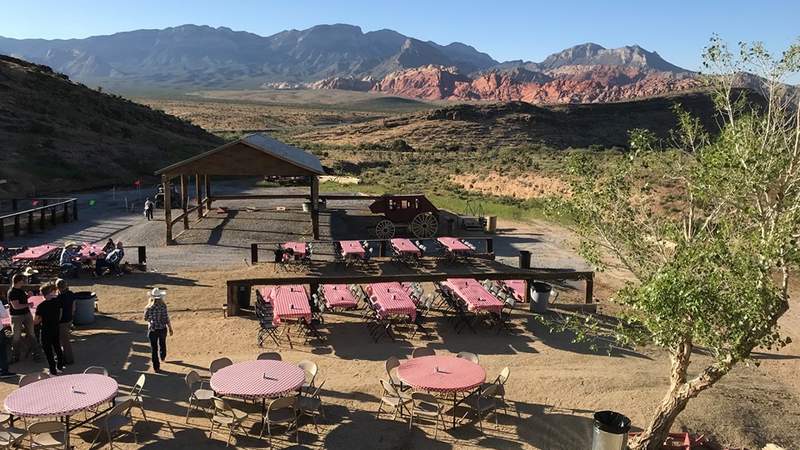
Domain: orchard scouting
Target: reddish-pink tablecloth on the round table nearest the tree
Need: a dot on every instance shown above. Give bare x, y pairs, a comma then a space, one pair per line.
441, 374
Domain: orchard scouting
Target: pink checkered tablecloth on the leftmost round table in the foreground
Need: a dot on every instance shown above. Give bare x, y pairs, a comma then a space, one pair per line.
60, 396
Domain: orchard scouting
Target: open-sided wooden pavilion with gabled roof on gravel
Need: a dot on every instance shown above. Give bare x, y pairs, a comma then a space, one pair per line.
253, 155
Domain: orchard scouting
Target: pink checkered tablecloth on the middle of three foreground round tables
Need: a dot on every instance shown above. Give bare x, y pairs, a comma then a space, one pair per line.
258, 379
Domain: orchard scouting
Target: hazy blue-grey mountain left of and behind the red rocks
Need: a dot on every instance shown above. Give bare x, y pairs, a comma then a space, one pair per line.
192, 56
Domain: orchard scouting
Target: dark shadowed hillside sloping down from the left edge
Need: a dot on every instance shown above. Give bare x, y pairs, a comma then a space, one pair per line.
56, 135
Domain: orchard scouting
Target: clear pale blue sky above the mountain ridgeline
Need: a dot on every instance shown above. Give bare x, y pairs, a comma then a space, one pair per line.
505, 29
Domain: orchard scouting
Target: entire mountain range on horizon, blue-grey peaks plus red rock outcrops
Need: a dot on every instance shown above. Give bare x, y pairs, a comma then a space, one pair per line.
340, 56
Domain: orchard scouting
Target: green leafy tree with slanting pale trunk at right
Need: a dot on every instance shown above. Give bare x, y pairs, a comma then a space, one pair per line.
714, 275
